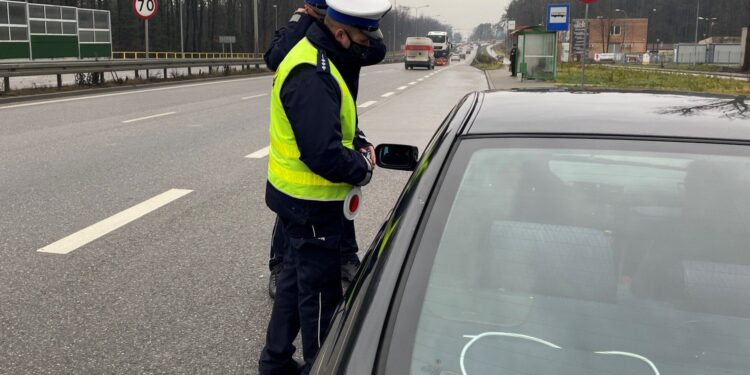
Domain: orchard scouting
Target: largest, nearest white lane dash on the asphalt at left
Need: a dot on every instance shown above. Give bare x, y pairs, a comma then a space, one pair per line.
100, 229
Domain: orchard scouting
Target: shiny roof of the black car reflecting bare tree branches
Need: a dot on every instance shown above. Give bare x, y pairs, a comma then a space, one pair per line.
611, 113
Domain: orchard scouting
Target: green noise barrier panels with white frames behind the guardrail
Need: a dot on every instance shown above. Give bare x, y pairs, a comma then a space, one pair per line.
40, 31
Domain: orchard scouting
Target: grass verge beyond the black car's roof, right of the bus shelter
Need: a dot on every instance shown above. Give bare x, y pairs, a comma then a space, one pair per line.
604, 77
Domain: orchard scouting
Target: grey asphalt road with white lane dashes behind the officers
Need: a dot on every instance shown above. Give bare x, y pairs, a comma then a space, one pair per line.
164, 280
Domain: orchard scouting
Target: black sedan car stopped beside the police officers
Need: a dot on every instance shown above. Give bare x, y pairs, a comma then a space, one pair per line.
561, 233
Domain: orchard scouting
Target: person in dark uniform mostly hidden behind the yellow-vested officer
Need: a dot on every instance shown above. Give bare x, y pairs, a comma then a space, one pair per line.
284, 40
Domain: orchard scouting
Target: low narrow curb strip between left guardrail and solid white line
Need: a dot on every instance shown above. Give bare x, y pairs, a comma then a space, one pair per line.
104, 90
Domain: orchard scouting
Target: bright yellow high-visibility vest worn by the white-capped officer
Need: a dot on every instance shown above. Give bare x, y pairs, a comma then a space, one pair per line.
286, 172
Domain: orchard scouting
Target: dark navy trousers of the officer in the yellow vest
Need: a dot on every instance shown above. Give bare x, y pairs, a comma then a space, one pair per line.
307, 292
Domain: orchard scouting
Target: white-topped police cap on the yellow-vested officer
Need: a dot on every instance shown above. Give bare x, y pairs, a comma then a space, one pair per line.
362, 14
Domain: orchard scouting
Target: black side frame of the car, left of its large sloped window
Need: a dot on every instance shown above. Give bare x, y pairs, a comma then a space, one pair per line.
355, 337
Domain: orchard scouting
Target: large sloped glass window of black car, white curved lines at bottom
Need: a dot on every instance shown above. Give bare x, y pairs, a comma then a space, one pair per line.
595, 257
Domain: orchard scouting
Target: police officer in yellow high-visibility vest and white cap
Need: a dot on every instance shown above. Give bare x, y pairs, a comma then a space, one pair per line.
313, 165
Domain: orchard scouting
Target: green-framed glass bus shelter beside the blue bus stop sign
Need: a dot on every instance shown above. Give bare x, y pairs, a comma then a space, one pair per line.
537, 53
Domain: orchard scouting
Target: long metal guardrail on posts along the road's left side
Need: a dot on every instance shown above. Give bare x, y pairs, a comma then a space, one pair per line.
58, 68
